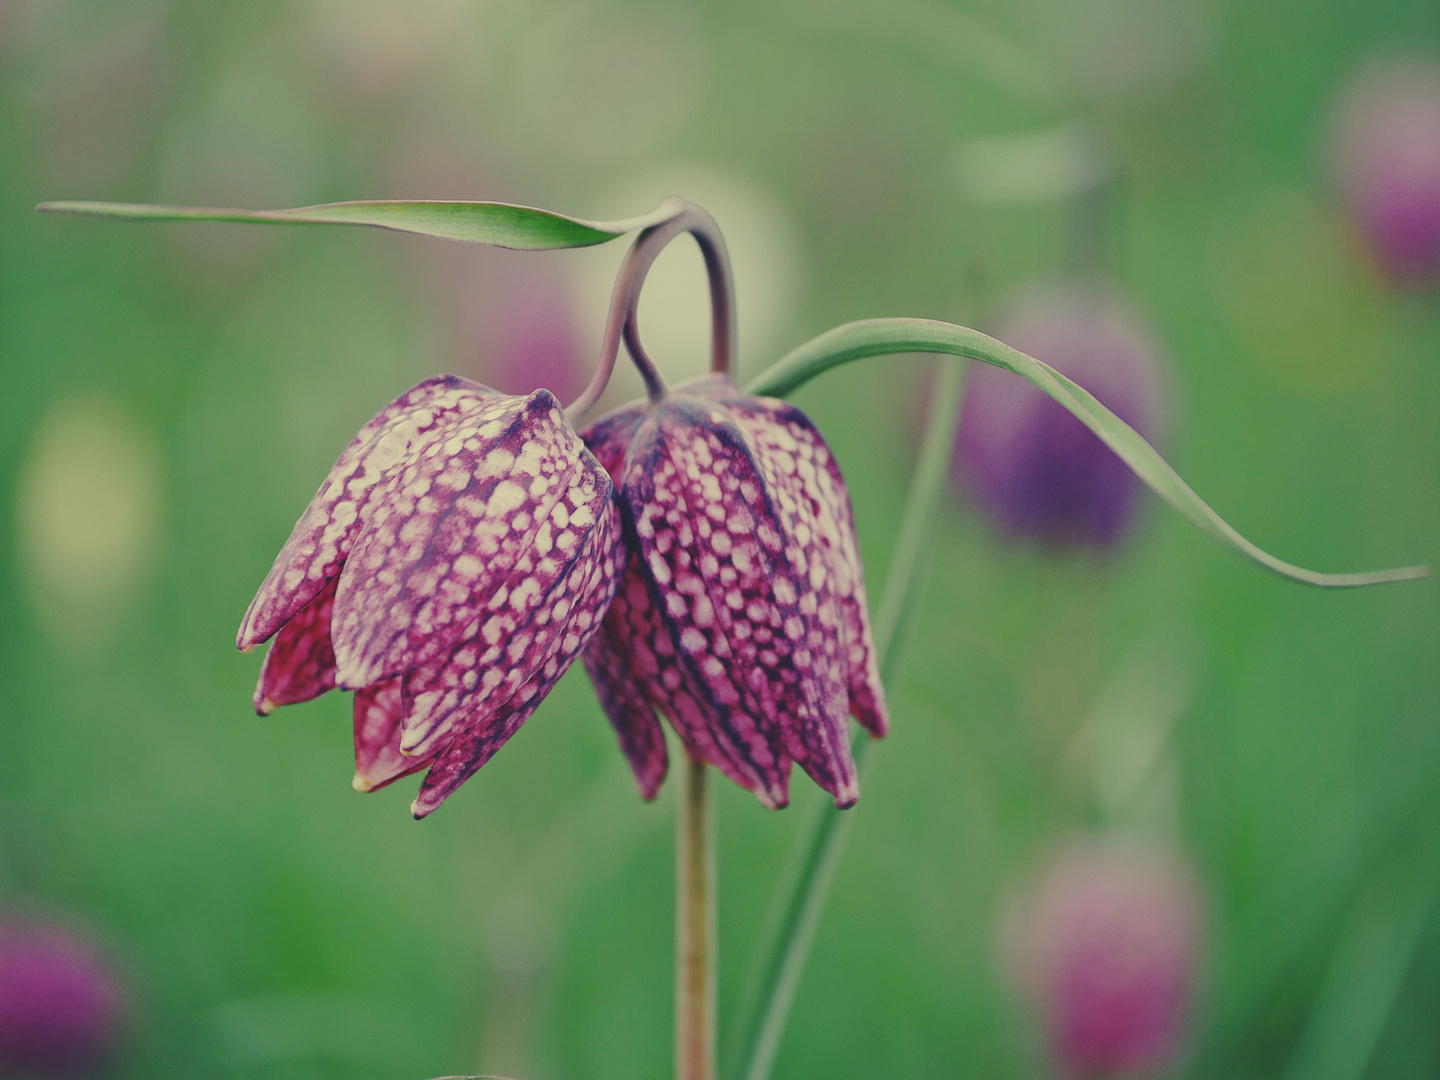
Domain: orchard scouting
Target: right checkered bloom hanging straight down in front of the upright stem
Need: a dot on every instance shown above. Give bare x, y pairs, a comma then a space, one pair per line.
742, 613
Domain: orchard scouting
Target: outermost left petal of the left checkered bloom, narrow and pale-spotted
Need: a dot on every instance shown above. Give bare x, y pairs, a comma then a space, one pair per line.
322, 539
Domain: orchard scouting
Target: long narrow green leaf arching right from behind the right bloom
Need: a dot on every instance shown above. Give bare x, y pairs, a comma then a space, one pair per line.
881, 336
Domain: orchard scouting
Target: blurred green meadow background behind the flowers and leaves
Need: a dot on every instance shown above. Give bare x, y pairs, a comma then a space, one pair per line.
171, 397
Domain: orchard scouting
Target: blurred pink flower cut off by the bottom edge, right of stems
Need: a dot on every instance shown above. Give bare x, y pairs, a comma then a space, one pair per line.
1108, 953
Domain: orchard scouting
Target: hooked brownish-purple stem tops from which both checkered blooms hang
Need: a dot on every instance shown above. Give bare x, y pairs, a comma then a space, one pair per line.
623, 323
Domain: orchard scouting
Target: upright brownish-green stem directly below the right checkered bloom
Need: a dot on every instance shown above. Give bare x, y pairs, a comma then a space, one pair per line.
695, 925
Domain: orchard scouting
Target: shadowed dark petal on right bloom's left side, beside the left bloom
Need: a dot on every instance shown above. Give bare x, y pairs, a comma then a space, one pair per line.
623, 696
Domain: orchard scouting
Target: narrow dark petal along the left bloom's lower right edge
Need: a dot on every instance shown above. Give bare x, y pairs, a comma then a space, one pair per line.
591, 581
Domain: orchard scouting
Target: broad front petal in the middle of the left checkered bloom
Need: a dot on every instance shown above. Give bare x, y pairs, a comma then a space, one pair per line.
466, 541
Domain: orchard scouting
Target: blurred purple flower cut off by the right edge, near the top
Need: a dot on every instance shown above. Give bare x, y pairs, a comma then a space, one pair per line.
1385, 156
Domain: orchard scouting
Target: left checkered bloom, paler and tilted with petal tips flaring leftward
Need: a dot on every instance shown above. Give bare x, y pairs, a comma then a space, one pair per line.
454, 564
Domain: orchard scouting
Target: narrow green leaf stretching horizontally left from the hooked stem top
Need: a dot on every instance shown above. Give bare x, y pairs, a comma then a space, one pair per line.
500, 225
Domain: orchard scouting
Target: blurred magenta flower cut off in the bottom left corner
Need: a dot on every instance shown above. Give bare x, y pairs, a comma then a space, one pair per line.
61, 1004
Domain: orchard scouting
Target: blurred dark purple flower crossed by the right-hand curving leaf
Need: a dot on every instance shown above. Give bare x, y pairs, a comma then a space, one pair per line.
1035, 470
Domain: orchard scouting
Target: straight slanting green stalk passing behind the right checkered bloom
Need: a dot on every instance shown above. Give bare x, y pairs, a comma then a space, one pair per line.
801, 894
